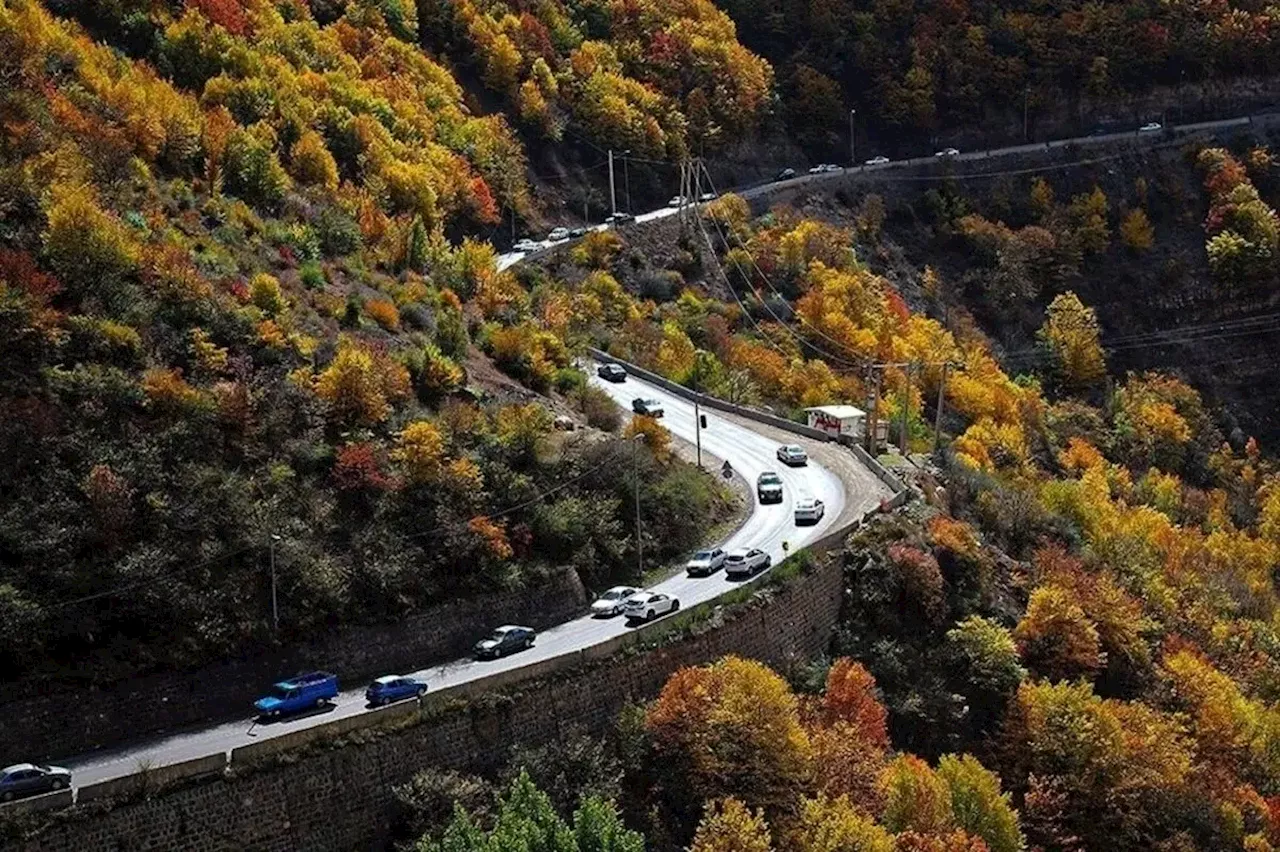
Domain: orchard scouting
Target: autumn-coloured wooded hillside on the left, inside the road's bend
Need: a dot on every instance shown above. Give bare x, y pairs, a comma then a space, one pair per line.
230, 318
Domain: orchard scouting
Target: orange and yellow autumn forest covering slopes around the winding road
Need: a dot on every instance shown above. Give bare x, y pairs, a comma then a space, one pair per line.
252, 313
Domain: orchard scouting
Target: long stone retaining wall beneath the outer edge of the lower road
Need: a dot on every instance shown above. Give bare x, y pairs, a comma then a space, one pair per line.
341, 799
